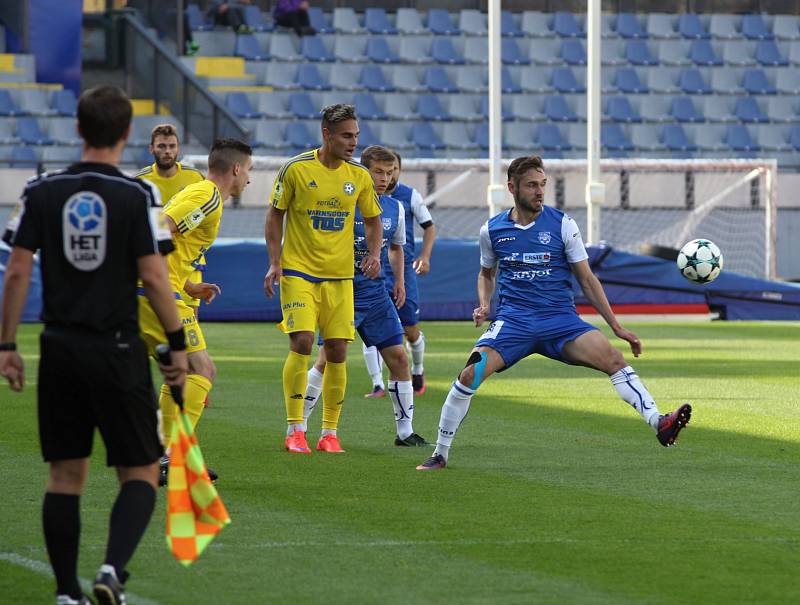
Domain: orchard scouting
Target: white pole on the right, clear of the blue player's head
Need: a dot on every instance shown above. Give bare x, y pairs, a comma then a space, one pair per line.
595, 189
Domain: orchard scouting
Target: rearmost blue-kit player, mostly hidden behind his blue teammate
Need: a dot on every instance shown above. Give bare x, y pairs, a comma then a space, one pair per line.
415, 210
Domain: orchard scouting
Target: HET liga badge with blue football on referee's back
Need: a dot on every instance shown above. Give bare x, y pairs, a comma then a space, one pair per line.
84, 222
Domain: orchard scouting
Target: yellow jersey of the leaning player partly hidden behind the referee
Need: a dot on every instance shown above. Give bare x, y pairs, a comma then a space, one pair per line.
197, 211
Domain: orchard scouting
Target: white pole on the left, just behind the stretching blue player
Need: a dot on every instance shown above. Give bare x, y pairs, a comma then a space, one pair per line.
495, 190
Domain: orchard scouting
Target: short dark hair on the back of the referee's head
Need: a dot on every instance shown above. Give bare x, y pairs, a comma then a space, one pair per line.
104, 114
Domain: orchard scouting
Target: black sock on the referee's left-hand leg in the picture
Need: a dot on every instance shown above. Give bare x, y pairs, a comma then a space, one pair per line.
61, 519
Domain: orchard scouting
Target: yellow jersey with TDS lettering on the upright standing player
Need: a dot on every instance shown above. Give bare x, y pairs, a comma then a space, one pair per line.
320, 204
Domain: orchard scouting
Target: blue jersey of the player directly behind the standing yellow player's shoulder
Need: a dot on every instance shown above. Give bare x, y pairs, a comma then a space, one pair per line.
365, 290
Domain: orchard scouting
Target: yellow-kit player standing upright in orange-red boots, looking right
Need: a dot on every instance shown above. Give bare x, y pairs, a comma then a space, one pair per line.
315, 194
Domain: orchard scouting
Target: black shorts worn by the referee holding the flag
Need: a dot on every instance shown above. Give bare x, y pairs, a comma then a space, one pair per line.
87, 381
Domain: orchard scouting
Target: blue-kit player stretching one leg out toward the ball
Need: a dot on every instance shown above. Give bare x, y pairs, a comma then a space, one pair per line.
533, 251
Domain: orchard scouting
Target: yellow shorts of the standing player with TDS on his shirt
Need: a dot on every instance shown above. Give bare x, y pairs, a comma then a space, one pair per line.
307, 305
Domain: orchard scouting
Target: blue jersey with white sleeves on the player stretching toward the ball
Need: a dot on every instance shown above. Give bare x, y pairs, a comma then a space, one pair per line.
533, 261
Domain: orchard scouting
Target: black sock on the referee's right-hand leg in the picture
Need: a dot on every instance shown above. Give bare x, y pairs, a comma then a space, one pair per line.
129, 519
